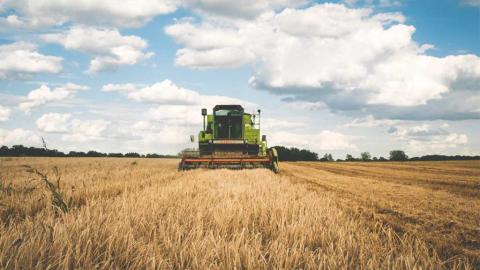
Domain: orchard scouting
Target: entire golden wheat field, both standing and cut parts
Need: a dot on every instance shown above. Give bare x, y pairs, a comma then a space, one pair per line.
108, 213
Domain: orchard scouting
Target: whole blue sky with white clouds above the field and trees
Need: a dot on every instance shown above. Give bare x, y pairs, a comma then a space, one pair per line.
334, 77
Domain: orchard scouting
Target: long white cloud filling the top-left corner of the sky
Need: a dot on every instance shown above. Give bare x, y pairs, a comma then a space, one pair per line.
40, 14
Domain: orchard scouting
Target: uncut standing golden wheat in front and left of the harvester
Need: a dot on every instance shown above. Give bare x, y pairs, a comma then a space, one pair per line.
147, 215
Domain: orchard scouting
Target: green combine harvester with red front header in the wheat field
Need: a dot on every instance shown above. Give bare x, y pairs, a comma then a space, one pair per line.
230, 139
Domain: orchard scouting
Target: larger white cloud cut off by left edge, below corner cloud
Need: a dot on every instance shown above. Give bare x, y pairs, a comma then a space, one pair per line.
21, 60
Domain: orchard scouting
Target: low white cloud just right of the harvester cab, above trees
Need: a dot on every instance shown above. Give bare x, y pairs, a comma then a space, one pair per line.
322, 141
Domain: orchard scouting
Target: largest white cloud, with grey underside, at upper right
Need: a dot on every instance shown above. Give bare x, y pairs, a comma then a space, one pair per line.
349, 59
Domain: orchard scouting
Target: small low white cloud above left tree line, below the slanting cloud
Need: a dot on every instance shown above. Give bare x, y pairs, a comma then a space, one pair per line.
72, 129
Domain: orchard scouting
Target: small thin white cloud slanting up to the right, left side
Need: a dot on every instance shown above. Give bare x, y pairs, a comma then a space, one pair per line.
45, 94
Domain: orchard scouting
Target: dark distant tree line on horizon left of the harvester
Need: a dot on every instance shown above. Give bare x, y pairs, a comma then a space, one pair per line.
22, 151
